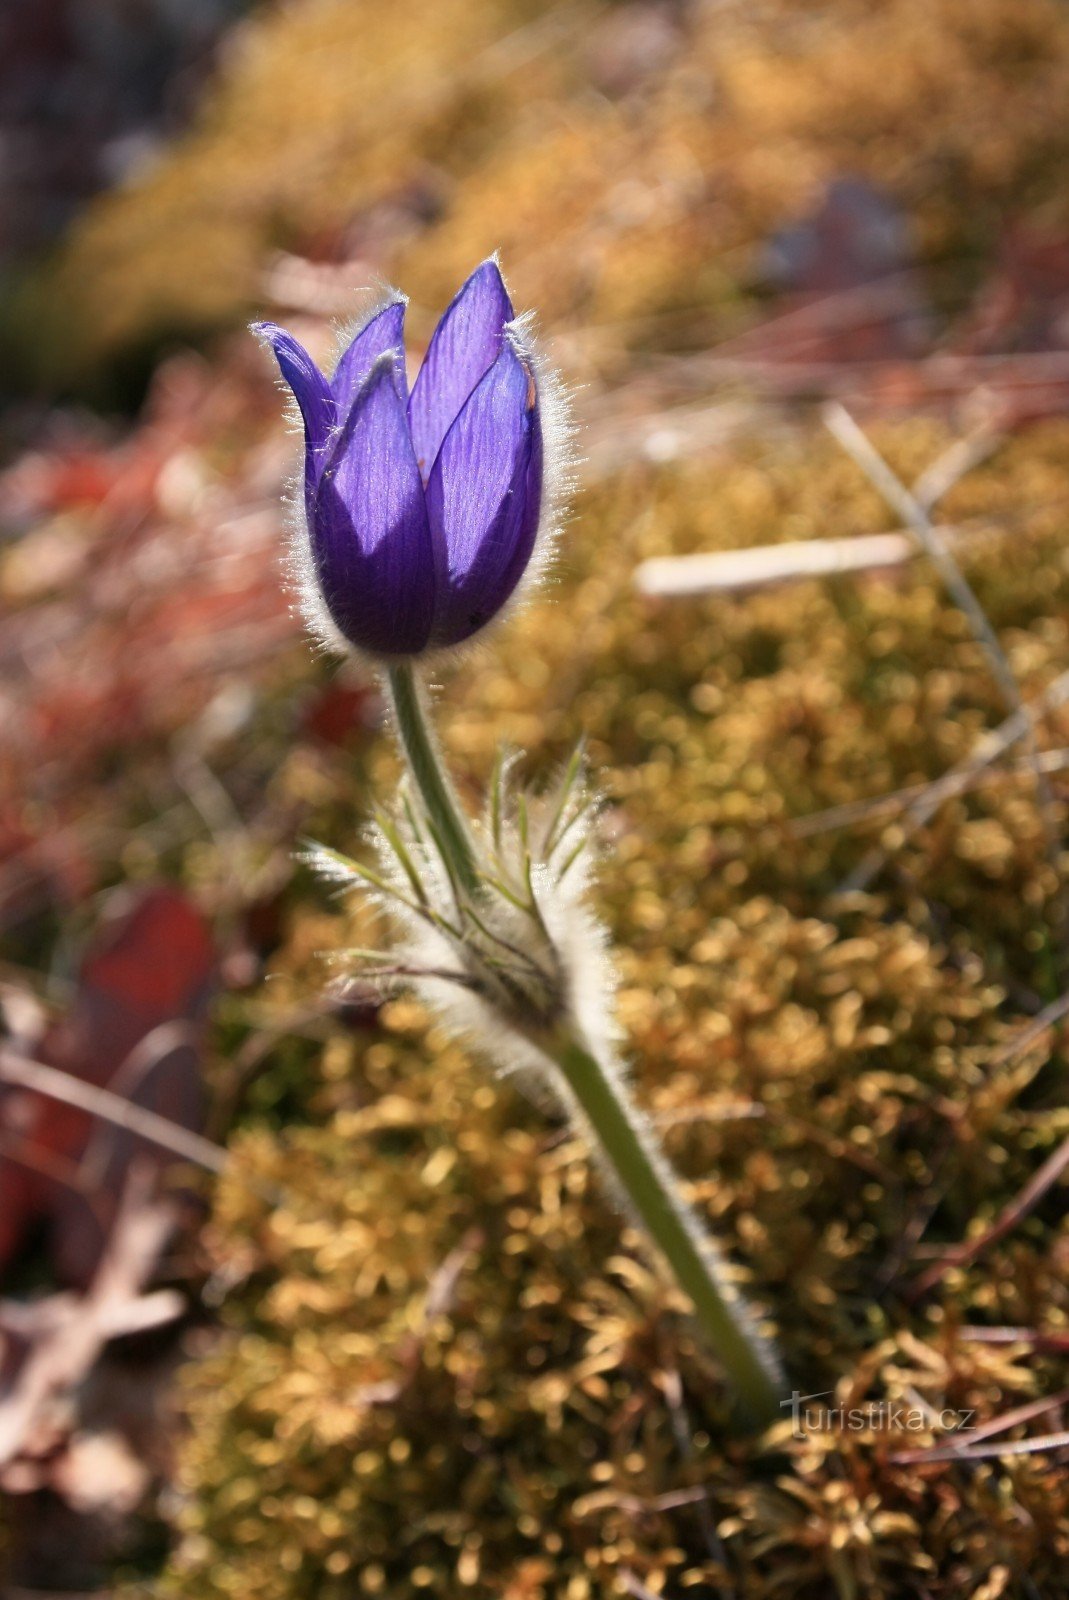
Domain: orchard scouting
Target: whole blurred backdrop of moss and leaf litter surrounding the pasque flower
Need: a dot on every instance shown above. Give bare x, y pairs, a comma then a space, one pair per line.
345, 1318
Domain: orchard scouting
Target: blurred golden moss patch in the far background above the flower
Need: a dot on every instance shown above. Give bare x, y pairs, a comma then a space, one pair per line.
630, 166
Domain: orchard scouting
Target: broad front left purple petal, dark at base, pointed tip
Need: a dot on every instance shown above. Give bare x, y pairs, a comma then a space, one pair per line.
369, 526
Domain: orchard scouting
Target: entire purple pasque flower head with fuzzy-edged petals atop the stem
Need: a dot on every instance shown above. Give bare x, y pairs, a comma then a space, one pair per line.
422, 510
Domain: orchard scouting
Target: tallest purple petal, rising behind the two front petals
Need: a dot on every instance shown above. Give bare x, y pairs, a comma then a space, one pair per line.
463, 348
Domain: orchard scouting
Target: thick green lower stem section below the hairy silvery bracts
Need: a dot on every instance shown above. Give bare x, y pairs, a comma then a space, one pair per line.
651, 1188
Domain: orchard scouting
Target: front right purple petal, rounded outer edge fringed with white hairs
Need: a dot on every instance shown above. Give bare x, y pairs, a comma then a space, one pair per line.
484, 498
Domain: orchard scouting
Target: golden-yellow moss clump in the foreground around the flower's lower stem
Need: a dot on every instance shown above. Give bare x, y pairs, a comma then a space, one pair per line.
446, 1370
